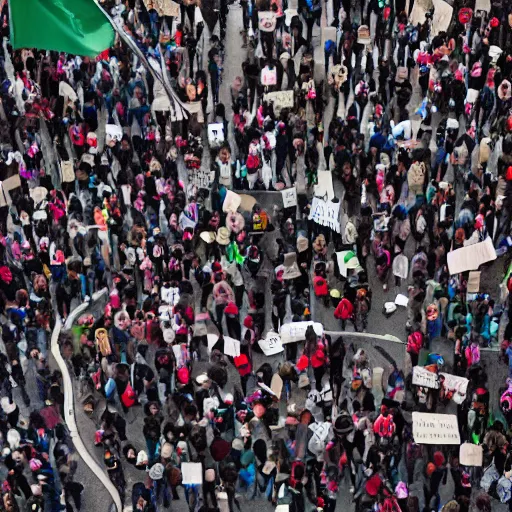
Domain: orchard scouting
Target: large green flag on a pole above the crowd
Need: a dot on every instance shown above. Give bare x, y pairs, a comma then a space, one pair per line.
71, 26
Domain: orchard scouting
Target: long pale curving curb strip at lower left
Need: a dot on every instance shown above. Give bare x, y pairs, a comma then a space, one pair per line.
69, 410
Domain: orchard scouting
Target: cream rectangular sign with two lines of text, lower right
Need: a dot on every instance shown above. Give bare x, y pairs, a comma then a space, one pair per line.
429, 428
